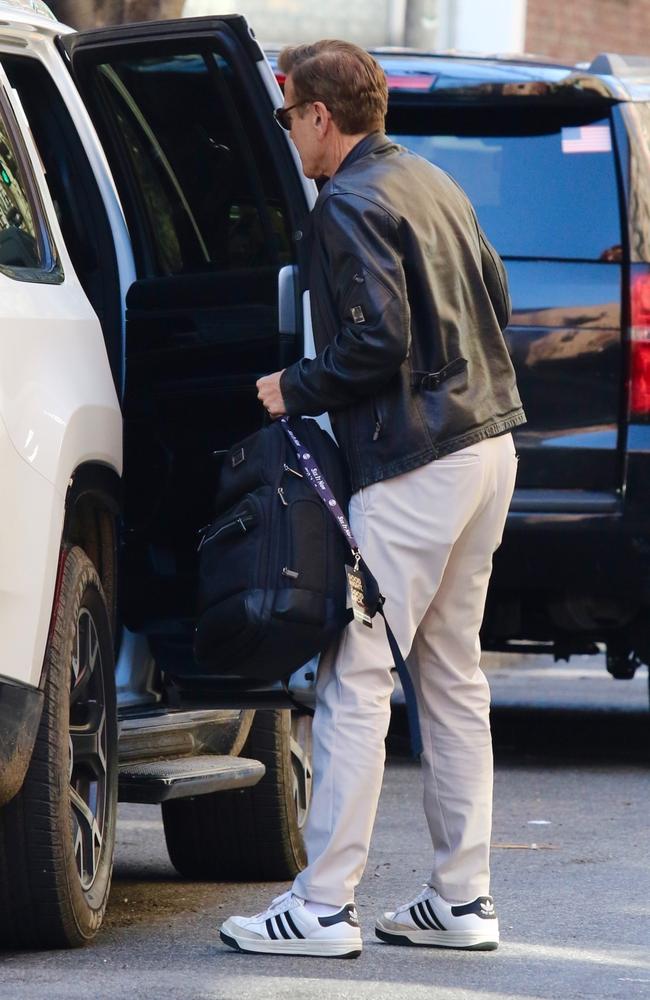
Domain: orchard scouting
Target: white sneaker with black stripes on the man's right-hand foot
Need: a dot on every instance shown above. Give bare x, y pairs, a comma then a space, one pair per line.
431, 920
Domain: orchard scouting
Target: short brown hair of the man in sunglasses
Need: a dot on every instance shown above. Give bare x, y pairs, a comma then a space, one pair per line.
349, 82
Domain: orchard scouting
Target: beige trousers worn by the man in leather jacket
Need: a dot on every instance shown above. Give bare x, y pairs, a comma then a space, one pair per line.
428, 536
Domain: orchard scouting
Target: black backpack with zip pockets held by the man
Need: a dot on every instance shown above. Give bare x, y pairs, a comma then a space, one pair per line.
272, 584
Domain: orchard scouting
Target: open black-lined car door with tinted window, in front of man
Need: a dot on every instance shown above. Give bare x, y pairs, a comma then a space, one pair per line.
215, 203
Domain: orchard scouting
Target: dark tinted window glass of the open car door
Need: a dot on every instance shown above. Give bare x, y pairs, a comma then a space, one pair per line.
206, 192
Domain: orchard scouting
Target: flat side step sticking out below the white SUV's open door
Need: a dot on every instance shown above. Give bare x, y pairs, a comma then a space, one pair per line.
159, 781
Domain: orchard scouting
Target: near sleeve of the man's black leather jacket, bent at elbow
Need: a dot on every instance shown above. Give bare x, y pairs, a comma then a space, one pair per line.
367, 287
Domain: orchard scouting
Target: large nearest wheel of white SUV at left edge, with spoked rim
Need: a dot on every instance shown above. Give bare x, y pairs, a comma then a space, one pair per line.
57, 835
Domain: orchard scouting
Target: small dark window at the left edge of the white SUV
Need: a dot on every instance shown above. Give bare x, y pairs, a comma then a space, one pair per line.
18, 240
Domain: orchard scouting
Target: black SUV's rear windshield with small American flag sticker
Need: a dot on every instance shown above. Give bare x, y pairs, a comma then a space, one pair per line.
542, 184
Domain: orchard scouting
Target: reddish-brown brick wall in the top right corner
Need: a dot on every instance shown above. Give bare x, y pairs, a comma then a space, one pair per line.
576, 30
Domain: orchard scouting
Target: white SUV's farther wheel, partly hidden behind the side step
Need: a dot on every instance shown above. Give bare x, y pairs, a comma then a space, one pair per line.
252, 834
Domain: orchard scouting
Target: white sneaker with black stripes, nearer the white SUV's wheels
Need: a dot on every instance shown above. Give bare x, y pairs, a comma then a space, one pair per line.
287, 928
